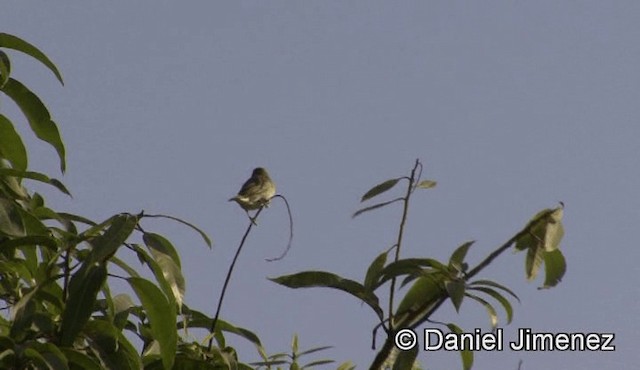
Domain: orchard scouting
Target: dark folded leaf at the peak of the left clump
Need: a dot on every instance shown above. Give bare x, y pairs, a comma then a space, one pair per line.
105, 245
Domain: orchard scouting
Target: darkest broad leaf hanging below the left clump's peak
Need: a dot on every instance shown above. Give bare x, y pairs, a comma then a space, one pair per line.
83, 290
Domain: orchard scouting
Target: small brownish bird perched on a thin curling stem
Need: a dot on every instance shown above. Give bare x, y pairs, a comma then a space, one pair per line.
256, 192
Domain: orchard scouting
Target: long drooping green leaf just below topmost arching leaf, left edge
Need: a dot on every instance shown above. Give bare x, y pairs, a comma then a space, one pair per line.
37, 115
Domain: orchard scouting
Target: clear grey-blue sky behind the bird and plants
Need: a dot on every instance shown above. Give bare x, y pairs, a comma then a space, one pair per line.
511, 106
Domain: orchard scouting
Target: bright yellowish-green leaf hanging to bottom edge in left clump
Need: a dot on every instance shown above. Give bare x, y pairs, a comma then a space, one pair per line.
162, 317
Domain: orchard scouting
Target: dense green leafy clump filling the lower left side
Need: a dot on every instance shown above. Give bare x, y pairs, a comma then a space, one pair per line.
57, 268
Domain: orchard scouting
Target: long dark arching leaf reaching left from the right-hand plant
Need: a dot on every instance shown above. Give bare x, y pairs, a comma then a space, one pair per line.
323, 279
